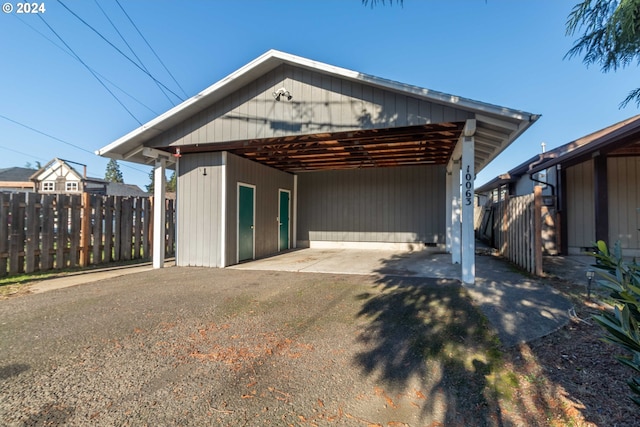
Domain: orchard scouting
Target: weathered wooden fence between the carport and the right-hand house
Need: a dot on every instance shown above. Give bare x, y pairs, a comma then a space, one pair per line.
514, 227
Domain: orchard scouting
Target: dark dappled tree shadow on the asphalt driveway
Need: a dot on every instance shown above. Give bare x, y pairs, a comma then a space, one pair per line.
427, 330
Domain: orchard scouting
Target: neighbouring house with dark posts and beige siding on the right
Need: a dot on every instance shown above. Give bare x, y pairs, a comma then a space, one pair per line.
592, 188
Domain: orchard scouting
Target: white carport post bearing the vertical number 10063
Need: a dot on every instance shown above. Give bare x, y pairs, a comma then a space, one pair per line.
468, 238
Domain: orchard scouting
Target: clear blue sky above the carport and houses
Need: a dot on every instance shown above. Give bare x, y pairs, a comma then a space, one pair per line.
504, 52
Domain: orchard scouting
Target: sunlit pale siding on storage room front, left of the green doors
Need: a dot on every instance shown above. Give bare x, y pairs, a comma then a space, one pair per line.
199, 210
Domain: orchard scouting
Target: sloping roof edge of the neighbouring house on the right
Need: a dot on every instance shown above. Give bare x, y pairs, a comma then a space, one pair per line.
602, 141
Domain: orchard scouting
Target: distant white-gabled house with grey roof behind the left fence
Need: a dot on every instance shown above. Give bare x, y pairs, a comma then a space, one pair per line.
59, 177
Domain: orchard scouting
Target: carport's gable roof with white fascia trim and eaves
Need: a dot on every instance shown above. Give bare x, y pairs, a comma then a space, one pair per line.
496, 128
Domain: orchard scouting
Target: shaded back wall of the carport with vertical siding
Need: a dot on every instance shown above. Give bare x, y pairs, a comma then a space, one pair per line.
390, 205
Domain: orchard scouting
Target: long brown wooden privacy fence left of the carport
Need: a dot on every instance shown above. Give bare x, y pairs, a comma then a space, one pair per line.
40, 232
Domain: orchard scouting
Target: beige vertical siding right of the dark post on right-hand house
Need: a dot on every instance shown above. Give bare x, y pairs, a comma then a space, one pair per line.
624, 200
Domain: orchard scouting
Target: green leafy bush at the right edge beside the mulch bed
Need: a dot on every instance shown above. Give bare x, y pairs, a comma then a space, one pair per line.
622, 279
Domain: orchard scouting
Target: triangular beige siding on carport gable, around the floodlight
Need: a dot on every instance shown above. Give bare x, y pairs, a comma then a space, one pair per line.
320, 103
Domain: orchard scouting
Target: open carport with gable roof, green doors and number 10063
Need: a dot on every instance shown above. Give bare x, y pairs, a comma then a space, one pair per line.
288, 152
